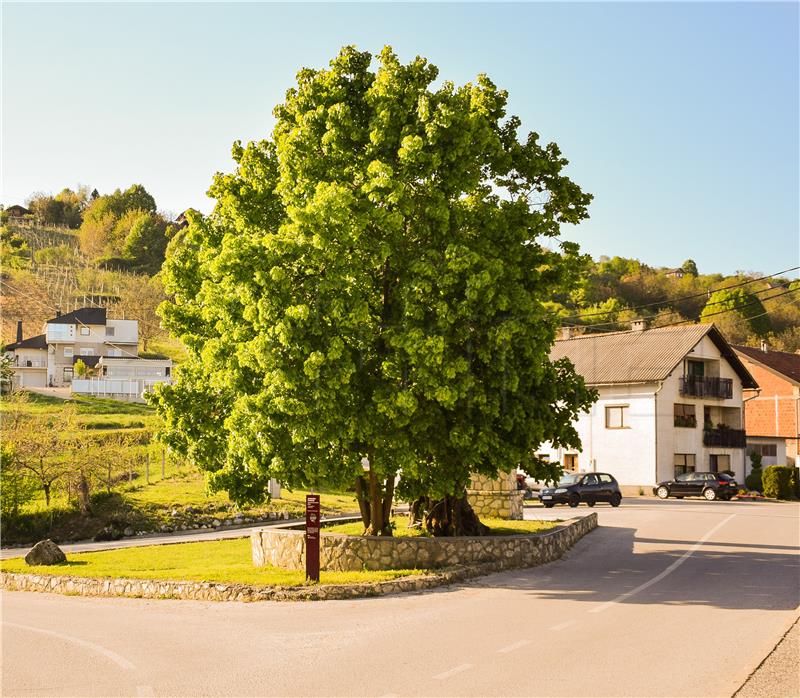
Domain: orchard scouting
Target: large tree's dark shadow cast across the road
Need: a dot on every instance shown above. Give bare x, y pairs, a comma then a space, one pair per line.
603, 566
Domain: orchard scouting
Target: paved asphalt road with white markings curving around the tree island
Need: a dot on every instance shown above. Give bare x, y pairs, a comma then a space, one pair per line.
665, 599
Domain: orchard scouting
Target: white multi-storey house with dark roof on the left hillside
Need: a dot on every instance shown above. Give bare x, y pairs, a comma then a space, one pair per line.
107, 346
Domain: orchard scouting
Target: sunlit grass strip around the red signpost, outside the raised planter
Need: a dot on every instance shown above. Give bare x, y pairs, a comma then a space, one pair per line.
225, 561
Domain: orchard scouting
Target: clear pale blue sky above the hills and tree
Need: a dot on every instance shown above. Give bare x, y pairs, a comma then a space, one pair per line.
681, 118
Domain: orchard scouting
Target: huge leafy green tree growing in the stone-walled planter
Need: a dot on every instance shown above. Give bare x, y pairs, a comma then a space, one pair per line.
369, 289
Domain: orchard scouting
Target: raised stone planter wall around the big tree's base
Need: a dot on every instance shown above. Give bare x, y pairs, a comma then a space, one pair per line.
286, 549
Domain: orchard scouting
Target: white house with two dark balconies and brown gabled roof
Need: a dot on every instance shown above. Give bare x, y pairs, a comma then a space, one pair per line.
670, 401
